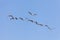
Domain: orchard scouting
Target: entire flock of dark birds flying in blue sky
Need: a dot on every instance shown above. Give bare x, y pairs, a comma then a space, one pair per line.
15, 18
